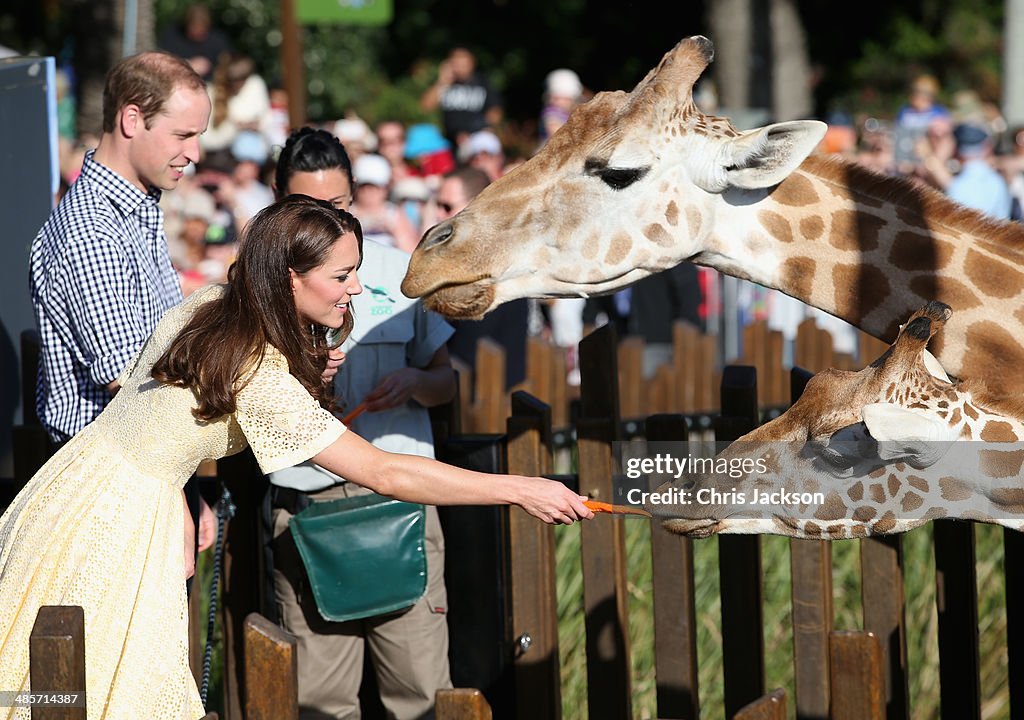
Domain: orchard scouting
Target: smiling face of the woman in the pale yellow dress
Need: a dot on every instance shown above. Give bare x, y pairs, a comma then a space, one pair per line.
322, 295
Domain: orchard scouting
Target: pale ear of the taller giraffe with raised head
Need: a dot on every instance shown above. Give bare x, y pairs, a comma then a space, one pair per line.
764, 157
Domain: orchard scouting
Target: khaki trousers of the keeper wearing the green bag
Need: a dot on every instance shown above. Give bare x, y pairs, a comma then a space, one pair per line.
409, 649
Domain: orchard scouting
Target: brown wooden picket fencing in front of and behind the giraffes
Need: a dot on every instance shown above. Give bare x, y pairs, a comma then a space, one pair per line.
501, 566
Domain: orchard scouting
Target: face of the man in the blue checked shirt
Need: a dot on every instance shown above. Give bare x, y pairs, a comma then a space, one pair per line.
160, 154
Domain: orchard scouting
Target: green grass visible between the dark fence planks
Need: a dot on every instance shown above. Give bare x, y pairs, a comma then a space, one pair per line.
921, 619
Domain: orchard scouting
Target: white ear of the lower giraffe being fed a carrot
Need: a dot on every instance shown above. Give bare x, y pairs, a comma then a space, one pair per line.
907, 436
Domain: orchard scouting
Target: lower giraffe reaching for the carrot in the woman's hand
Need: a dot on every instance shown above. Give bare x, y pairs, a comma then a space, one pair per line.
885, 450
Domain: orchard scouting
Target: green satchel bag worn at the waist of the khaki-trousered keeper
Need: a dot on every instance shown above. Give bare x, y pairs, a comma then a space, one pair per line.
365, 556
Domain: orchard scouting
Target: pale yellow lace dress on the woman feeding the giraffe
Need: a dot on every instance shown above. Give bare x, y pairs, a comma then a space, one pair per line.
101, 526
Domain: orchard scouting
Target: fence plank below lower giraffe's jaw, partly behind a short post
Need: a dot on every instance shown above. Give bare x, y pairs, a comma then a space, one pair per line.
884, 607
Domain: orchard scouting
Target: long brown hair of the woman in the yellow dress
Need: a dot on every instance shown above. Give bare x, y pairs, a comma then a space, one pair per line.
227, 338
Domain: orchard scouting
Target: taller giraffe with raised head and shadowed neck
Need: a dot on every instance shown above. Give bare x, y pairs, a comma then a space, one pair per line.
638, 182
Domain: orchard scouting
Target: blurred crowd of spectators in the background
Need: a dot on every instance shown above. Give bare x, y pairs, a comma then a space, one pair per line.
962, 148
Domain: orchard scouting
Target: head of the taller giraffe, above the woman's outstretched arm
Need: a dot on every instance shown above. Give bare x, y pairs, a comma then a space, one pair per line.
622, 191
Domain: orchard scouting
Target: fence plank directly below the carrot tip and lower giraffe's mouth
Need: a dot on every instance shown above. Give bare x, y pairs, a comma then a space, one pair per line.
674, 606
